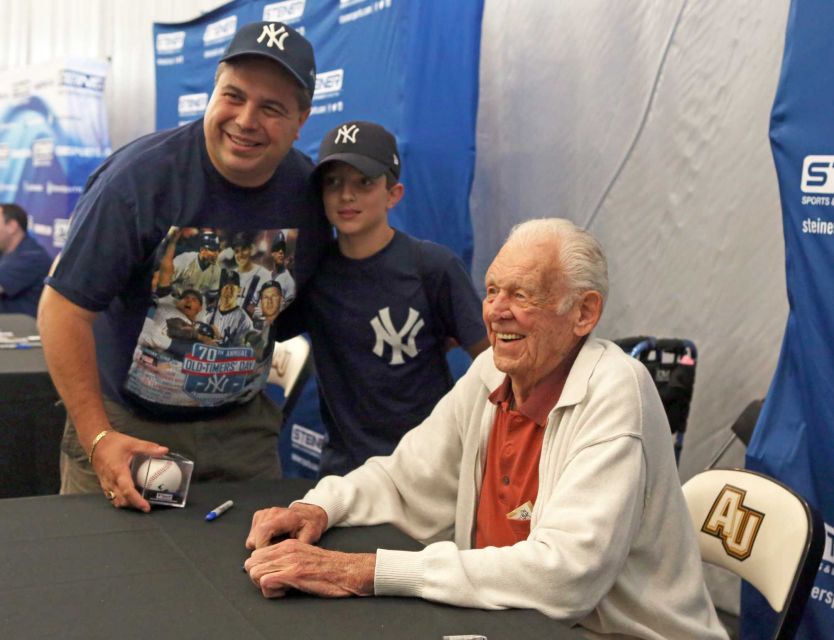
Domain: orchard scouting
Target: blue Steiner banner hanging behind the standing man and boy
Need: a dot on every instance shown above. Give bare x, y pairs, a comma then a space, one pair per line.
410, 66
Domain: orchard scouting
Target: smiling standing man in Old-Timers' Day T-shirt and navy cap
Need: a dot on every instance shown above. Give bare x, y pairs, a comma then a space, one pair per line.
232, 171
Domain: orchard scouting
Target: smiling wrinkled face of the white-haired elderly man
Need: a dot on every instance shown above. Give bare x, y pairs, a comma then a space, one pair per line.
525, 292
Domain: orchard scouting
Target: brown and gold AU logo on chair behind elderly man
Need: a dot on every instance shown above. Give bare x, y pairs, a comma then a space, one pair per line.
732, 522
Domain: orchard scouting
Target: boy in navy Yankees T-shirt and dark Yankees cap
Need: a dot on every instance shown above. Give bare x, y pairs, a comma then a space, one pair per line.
382, 307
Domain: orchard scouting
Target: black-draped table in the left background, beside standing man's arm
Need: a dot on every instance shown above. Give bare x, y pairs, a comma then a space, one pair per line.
31, 423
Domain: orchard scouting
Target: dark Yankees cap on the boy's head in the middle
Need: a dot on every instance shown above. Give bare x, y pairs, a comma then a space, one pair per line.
365, 146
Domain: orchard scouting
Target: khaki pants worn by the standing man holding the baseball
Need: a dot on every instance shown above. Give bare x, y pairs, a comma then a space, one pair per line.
239, 445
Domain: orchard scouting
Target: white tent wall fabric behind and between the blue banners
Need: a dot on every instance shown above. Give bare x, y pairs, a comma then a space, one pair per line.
645, 121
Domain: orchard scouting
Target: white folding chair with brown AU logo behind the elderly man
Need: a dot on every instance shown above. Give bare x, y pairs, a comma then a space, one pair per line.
763, 532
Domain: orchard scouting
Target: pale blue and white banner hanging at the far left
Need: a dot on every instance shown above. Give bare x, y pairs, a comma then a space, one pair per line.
53, 134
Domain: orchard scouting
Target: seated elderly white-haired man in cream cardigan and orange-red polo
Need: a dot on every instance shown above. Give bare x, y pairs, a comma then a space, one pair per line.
544, 480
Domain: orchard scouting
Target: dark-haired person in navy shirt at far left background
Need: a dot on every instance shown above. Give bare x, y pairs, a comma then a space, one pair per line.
23, 265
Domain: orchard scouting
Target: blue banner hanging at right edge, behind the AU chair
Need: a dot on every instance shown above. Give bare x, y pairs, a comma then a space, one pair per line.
794, 438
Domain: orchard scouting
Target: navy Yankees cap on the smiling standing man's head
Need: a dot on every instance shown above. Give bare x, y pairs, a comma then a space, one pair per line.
278, 42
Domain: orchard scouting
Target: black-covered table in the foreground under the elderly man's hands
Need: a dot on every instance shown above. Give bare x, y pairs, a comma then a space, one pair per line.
74, 567
